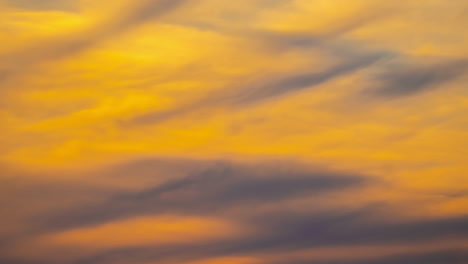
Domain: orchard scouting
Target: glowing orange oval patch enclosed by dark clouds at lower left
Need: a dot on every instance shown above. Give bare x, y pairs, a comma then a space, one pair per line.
160, 230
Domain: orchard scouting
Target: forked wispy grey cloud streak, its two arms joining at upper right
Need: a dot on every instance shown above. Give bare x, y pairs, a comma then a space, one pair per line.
352, 56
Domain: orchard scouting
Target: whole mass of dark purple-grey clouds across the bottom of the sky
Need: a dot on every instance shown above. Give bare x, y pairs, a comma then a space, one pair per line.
226, 191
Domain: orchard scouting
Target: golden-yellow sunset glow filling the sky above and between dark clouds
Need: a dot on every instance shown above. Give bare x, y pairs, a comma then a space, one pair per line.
102, 83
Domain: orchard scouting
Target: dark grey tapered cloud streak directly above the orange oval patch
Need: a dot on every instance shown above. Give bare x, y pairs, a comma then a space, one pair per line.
209, 191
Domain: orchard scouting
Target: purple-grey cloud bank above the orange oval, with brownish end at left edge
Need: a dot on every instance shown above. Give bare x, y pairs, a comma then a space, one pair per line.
208, 189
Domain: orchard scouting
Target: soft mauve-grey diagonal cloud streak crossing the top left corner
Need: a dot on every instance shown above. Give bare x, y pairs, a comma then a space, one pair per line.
73, 43
